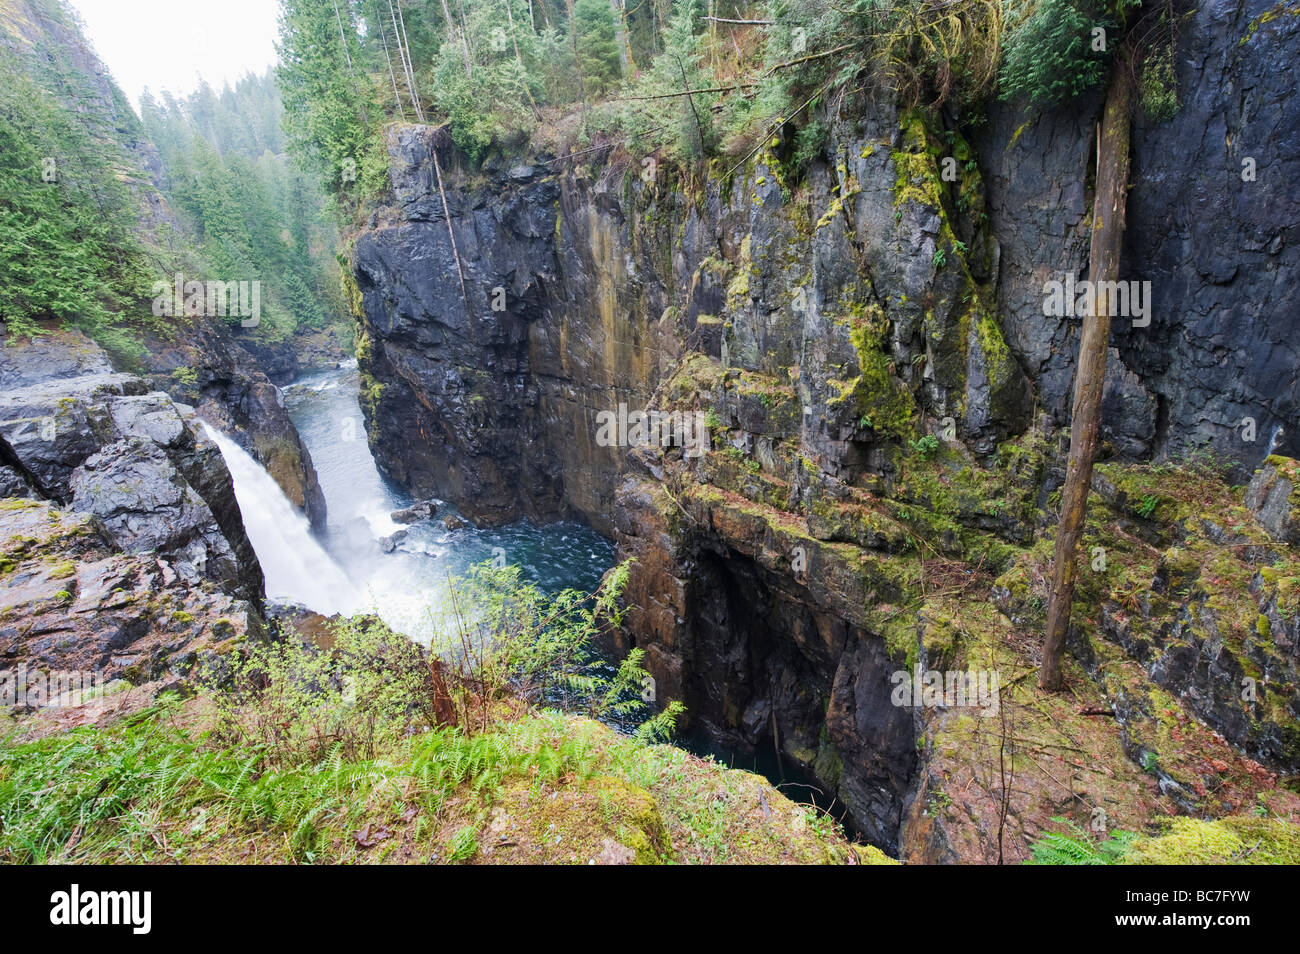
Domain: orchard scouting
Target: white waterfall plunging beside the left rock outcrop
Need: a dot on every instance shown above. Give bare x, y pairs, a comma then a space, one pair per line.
297, 567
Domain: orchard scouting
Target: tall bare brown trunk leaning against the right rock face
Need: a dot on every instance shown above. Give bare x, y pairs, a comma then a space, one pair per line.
1108, 236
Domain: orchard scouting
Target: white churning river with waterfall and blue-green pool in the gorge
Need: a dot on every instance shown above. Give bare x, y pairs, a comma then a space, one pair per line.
348, 571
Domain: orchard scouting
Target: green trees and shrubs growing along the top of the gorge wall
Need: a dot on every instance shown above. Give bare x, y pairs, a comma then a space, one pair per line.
681, 80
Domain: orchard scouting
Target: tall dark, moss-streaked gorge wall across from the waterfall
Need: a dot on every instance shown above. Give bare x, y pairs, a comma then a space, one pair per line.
824, 326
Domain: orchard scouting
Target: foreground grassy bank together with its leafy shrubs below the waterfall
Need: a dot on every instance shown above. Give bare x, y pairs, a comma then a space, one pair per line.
348, 754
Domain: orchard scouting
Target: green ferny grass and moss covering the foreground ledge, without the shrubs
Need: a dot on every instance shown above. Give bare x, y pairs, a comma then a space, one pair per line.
159, 788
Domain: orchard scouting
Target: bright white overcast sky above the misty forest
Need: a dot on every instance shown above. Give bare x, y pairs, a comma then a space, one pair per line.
170, 45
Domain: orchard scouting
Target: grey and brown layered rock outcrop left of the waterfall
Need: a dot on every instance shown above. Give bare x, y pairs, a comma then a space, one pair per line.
124, 550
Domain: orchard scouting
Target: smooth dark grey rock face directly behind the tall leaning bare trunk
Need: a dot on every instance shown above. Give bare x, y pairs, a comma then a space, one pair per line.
1221, 253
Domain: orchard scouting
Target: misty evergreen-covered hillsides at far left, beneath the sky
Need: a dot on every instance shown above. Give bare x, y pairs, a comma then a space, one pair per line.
90, 219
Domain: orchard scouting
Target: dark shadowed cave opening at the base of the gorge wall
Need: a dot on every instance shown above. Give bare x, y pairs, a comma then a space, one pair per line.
777, 684
